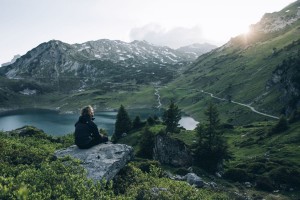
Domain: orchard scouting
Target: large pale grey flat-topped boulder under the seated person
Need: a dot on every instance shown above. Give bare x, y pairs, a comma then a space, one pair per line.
102, 161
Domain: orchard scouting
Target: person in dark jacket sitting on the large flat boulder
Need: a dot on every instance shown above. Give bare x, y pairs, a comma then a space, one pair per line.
86, 131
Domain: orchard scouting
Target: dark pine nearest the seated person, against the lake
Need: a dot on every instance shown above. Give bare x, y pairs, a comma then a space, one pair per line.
123, 123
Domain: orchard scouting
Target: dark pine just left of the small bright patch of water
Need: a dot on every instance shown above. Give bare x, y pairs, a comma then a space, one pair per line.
171, 117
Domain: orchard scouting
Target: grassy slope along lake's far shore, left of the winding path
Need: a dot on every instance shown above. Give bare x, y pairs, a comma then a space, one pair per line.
141, 96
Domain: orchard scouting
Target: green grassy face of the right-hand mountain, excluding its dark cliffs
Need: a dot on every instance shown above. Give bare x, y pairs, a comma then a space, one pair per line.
240, 70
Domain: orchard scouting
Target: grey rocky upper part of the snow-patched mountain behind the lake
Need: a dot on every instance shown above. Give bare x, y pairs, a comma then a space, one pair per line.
105, 60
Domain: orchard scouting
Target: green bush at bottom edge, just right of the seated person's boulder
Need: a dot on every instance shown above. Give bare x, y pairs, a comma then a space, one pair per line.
133, 183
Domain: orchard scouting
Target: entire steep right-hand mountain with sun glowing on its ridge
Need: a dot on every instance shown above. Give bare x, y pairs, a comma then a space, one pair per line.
258, 69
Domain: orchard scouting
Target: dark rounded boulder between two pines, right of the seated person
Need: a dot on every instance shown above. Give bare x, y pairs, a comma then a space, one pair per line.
171, 151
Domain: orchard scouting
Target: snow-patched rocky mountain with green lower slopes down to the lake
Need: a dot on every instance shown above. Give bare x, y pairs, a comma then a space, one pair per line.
103, 72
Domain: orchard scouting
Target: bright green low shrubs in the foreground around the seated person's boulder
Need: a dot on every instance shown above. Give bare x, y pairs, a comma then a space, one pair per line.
29, 171
